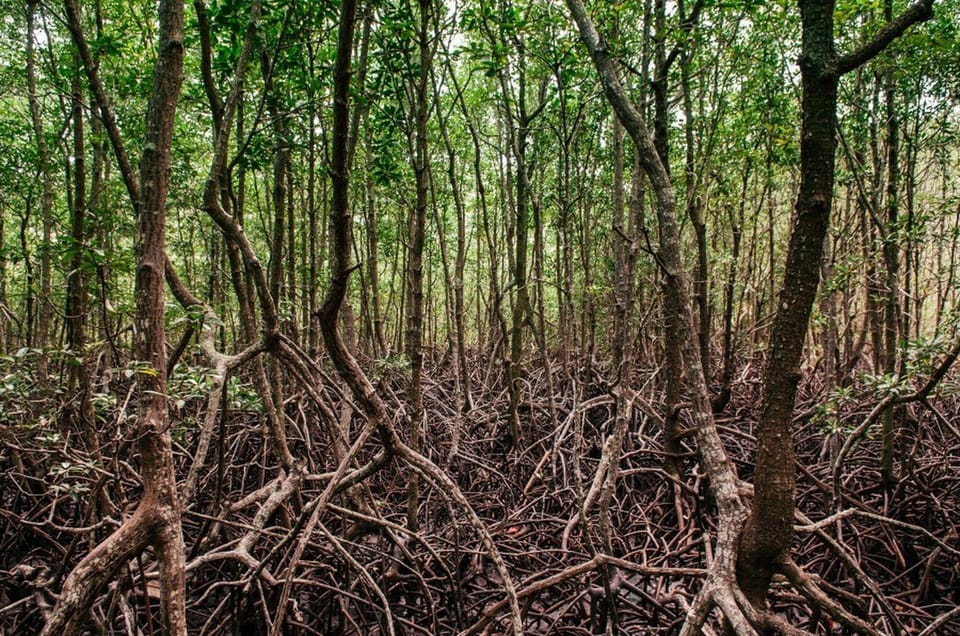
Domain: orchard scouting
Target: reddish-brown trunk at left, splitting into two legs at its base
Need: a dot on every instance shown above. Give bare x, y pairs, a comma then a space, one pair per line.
156, 521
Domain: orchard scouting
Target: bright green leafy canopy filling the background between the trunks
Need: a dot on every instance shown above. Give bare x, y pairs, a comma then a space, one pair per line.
743, 82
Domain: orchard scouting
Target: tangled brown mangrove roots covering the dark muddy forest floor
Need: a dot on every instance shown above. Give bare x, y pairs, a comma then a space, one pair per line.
362, 573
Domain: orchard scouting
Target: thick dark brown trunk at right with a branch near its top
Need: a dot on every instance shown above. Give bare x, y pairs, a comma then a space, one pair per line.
769, 530
